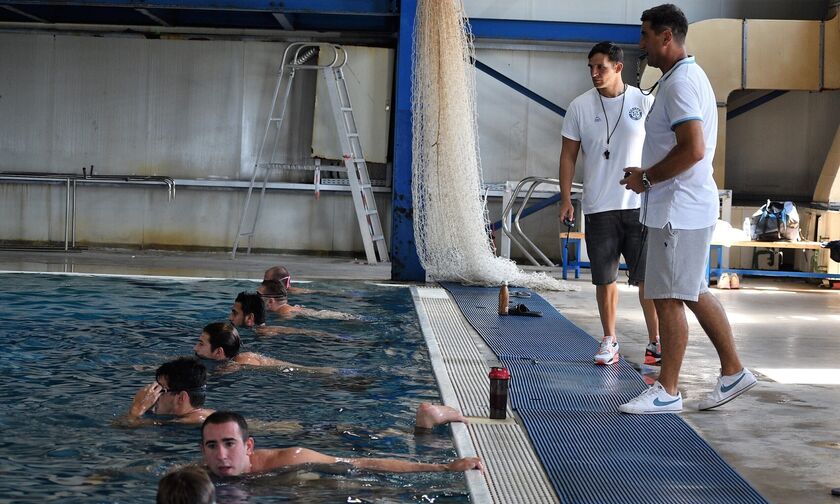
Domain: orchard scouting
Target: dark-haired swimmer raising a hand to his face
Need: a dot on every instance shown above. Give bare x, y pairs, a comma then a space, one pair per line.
179, 390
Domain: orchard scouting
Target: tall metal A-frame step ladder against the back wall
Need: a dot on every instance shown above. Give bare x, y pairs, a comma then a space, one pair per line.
295, 58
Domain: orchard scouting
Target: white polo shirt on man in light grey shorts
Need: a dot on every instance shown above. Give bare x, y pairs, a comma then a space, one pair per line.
689, 200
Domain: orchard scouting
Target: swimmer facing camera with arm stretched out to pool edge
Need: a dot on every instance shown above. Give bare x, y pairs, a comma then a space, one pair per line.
228, 450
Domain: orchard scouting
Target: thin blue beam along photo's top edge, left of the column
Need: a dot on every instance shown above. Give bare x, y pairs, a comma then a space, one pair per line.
354, 7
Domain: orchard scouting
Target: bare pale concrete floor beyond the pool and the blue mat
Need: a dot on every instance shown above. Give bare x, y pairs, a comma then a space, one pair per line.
782, 437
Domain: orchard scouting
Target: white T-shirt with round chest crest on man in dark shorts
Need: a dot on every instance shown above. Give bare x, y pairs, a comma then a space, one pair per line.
586, 124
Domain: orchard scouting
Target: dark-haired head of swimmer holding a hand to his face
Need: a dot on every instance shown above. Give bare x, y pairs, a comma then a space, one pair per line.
184, 384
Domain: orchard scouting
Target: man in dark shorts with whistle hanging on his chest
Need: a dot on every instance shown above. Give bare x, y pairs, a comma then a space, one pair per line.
606, 125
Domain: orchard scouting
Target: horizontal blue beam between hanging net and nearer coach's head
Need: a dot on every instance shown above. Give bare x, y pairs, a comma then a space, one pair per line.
553, 31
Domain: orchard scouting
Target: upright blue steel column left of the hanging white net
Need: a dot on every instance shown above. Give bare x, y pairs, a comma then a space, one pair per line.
405, 265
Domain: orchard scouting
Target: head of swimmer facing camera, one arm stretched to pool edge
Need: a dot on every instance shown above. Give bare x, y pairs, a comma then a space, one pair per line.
225, 444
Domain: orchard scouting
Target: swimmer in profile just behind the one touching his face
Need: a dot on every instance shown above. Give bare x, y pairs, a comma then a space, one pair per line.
220, 341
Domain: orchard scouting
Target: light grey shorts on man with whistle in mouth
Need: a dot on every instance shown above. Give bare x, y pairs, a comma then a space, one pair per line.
680, 257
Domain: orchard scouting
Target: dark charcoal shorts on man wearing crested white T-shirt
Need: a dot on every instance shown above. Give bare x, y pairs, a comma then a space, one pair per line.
609, 235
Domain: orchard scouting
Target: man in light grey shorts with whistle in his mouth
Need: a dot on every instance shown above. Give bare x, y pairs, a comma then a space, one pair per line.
680, 212
